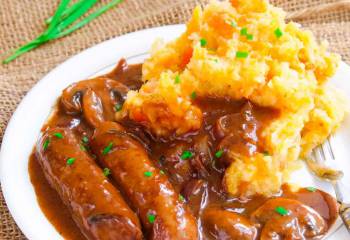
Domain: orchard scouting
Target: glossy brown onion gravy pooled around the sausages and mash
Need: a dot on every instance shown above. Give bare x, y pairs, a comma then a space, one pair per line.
199, 179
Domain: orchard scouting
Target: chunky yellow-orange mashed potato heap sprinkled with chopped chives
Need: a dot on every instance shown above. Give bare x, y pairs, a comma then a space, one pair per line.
243, 50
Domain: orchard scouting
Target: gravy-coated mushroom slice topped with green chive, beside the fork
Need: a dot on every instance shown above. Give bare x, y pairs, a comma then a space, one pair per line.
284, 218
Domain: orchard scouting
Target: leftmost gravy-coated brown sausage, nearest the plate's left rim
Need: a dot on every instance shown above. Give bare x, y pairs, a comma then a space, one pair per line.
96, 206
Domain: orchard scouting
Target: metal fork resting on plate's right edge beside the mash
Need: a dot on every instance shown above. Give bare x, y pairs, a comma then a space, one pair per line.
316, 163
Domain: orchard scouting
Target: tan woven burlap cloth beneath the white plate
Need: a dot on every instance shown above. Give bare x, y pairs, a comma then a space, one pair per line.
21, 21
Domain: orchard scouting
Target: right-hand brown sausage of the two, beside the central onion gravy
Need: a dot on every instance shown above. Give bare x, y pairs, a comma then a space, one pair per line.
162, 212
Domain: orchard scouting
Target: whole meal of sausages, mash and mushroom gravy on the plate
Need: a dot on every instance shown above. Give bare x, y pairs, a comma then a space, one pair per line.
197, 142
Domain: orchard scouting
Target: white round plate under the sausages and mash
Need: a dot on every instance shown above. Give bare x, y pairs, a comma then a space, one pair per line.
24, 127
